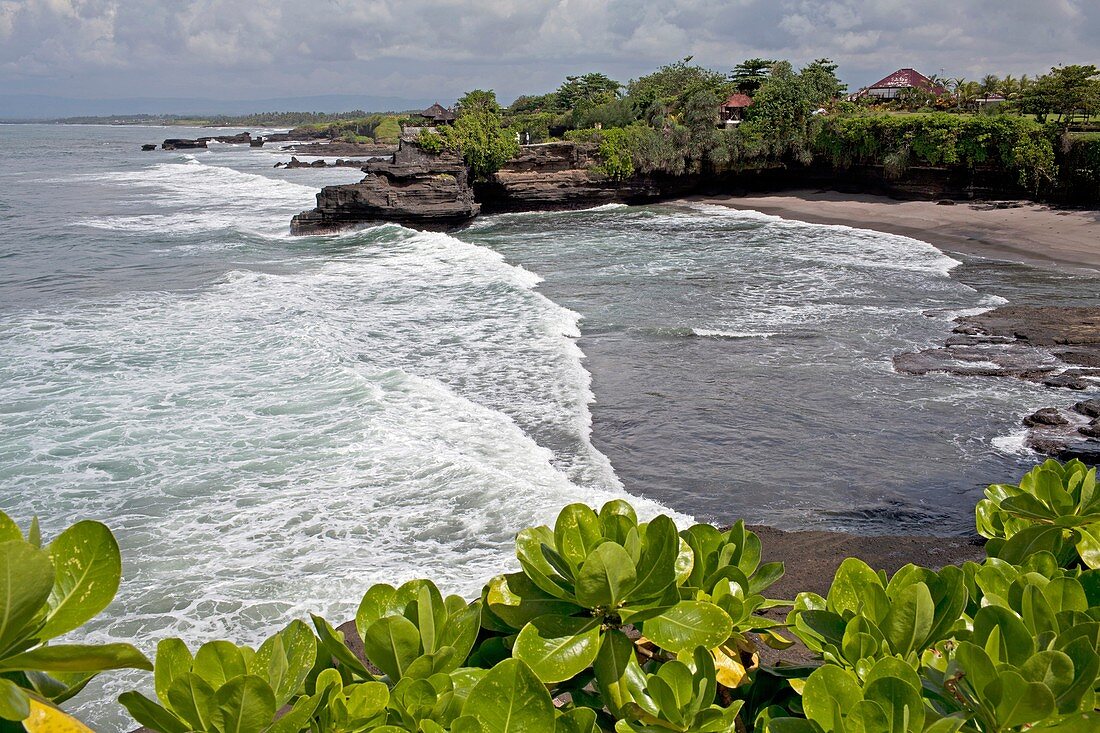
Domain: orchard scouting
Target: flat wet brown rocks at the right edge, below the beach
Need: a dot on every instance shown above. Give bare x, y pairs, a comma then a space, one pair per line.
1058, 347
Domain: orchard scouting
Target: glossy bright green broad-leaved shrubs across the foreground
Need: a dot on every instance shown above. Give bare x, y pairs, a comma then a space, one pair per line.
615, 625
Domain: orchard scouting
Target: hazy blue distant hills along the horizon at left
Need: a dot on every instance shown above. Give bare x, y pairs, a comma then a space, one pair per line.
43, 107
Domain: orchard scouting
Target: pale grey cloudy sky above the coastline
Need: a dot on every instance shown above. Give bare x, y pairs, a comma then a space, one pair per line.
437, 49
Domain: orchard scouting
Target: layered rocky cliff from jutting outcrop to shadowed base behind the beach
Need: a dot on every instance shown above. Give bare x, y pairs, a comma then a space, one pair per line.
427, 191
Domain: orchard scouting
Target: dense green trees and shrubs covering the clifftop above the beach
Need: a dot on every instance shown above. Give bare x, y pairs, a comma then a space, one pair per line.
667, 124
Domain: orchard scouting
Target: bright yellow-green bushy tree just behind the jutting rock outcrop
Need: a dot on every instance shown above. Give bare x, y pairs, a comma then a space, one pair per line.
479, 134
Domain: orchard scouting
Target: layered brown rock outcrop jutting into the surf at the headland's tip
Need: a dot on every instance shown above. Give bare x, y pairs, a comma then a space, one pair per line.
414, 188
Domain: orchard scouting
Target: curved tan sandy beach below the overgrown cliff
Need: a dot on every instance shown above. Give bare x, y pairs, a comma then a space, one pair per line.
1027, 233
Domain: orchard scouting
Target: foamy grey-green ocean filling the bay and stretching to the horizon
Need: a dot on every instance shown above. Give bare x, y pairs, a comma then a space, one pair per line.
271, 424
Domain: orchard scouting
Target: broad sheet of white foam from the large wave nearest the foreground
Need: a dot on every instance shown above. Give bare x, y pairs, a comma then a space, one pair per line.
290, 440
